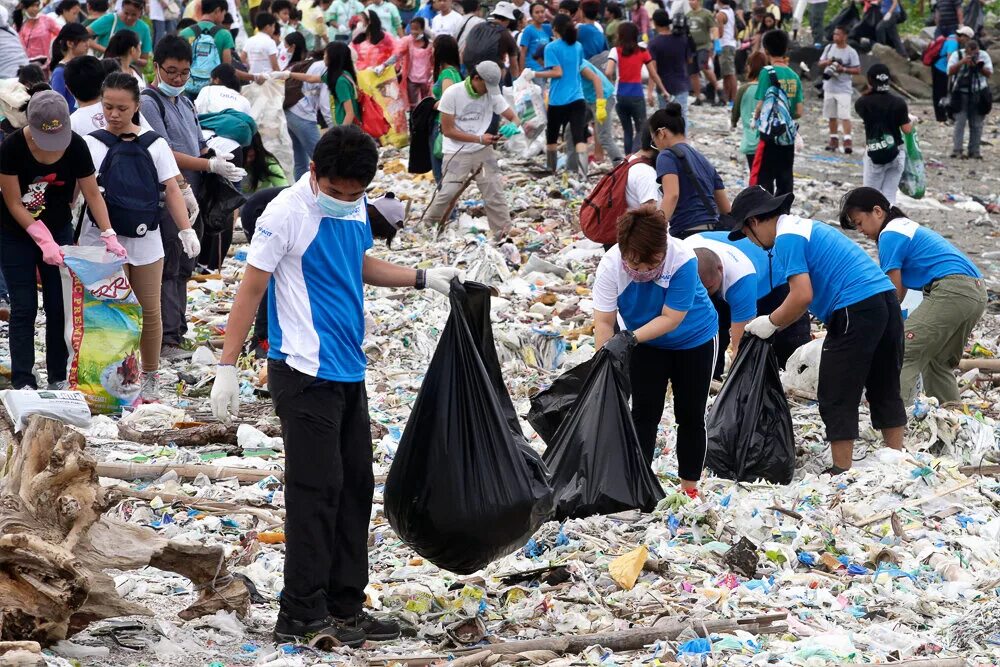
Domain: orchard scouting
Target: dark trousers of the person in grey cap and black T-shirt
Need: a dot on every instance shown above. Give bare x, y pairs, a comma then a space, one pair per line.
20, 258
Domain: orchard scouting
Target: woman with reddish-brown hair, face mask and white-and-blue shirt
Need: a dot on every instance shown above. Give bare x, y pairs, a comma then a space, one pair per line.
649, 284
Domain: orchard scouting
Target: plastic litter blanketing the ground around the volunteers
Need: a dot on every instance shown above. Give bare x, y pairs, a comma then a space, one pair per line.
897, 560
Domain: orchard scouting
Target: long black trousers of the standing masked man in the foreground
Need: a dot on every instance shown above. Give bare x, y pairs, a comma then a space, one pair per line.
328, 492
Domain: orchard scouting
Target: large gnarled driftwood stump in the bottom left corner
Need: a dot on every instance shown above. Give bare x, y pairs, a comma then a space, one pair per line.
55, 544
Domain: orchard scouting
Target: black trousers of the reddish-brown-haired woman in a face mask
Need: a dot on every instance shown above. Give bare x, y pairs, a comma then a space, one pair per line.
690, 373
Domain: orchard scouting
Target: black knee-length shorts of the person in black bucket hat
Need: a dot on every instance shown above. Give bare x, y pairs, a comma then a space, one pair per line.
862, 351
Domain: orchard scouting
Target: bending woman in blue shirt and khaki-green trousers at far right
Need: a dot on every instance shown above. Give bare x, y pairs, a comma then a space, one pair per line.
918, 258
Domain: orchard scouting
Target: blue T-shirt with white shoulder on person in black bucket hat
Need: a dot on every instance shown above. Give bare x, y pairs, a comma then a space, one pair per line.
842, 274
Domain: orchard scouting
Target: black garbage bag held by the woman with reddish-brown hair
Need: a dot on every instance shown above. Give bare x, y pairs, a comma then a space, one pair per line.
596, 464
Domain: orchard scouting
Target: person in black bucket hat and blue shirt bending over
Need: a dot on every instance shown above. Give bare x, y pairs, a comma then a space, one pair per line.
842, 287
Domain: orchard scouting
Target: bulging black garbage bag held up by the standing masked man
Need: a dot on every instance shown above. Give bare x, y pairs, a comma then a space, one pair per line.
465, 488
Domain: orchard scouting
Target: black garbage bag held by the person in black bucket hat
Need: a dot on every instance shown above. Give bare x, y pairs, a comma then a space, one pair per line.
749, 427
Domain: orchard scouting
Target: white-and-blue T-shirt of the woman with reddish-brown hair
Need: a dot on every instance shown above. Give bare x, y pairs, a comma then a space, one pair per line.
678, 288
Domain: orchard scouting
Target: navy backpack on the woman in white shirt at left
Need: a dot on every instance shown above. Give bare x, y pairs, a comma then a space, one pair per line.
132, 189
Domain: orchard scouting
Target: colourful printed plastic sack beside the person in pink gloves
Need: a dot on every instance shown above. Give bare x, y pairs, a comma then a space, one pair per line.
103, 323
